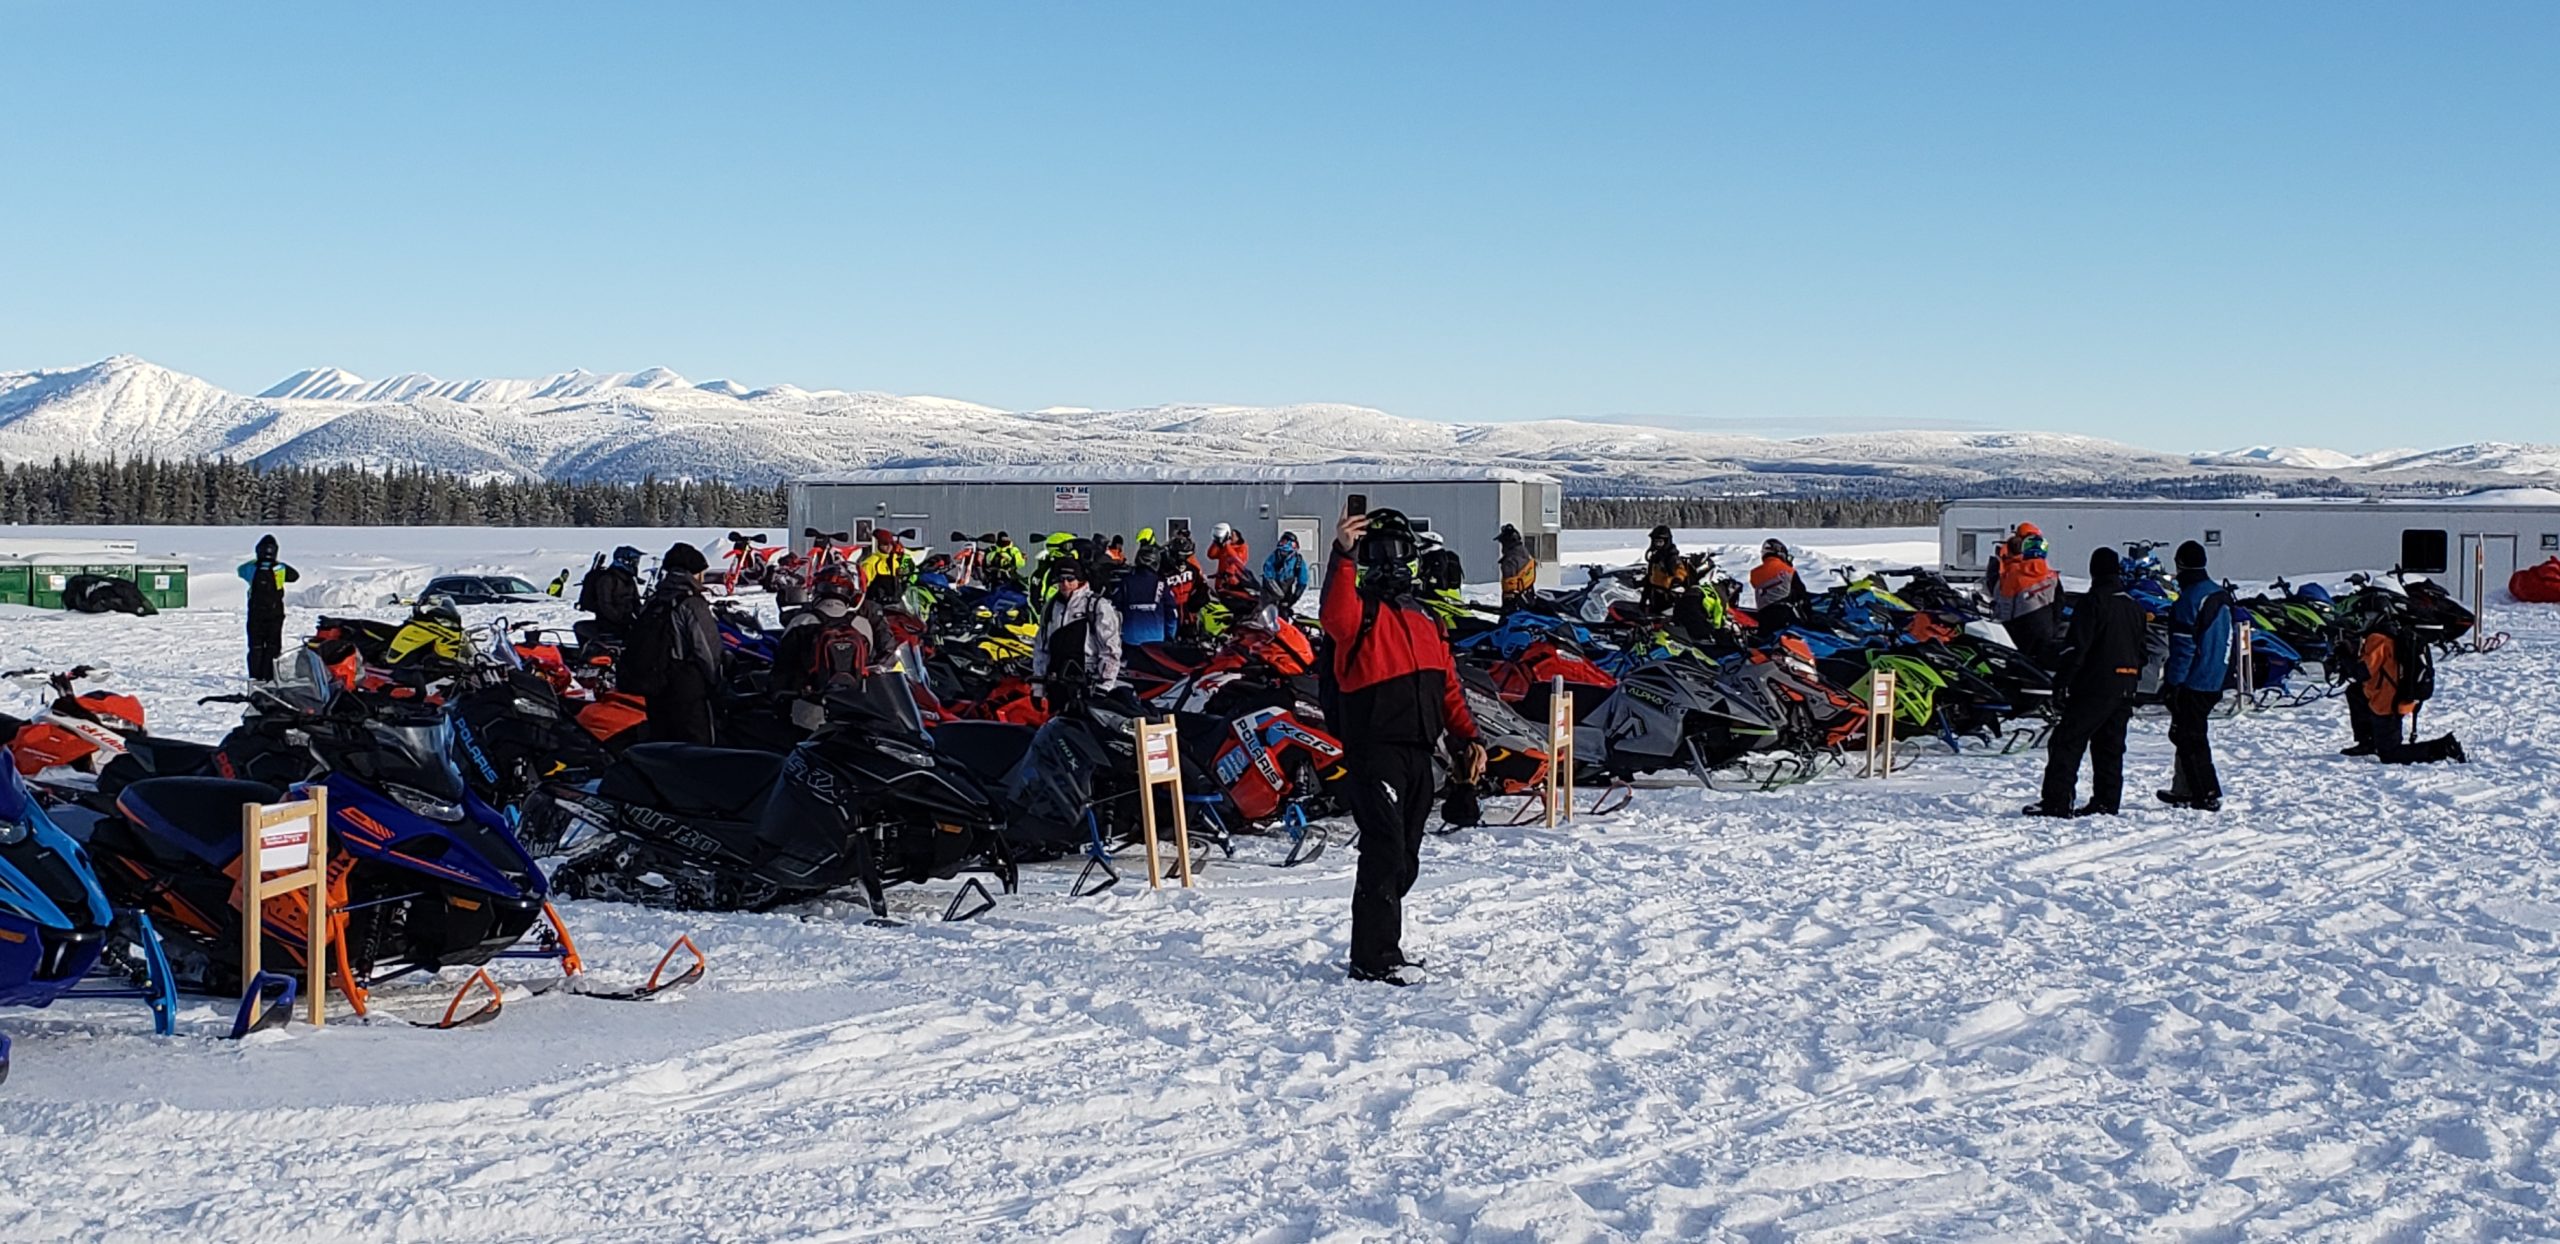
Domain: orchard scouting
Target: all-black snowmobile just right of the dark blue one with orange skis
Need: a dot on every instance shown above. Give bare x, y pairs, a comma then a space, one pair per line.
864, 802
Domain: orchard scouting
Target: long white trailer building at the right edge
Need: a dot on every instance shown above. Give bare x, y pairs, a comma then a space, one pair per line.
2298, 539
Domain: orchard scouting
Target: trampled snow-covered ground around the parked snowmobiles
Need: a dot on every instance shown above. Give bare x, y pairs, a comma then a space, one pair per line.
1832, 1012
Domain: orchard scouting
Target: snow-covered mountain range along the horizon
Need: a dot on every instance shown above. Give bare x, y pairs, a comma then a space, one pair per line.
626, 426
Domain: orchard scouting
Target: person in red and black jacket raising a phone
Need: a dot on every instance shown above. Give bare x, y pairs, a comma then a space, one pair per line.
1399, 698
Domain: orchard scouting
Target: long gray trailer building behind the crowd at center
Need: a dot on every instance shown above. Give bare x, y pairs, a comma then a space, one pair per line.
1468, 506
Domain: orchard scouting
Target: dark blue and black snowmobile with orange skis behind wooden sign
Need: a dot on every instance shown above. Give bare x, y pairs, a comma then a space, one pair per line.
424, 874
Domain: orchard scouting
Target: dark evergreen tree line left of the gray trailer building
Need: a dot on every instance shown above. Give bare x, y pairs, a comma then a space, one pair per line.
221, 493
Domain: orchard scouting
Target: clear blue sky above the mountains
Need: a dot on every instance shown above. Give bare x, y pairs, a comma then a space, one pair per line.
2188, 227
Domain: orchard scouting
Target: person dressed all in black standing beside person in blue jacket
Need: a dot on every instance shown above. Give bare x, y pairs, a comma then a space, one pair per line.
2100, 667
